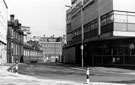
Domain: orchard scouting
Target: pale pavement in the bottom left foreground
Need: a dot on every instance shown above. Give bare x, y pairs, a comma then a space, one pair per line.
7, 78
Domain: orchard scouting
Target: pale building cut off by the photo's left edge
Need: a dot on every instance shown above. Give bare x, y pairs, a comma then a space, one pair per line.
3, 31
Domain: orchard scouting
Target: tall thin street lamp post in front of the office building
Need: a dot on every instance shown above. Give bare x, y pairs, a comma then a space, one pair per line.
82, 31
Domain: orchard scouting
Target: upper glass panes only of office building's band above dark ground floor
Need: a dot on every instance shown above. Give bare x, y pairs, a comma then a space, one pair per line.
121, 17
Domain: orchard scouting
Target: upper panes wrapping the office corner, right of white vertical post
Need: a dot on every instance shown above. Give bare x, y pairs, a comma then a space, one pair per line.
118, 16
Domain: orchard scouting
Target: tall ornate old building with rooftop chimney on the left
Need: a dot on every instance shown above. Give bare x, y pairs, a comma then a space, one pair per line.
14, 40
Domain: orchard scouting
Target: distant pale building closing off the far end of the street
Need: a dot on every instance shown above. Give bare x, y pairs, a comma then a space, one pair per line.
51, 46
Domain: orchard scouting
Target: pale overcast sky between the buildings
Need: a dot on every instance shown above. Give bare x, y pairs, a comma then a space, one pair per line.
44, 17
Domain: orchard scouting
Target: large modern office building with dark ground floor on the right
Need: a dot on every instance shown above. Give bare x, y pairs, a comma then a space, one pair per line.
108, 29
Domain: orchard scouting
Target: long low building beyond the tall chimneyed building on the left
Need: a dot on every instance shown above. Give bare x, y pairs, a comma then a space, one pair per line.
32, 52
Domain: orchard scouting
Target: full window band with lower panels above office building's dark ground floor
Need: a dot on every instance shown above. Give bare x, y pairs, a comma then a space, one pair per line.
125, 20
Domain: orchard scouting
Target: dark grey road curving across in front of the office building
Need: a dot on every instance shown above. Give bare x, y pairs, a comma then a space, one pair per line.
77, 74
